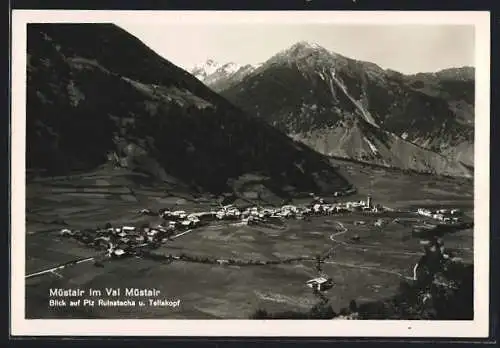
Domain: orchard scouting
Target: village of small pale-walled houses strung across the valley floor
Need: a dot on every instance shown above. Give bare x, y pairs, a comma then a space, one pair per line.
123, 241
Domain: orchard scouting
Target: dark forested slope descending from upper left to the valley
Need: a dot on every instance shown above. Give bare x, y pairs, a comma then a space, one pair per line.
97, 95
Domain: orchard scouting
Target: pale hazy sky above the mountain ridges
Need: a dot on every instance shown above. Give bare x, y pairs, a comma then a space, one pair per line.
404, 48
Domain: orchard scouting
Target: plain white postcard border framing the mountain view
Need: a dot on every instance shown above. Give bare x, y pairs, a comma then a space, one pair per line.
479, 327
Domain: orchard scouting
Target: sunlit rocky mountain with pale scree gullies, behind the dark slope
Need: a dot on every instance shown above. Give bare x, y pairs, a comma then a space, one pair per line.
326, 100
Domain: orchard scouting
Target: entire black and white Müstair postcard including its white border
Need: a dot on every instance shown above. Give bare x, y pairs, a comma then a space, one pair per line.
247, 167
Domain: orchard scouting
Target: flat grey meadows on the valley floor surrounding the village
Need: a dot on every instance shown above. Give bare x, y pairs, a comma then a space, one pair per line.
365, 269
